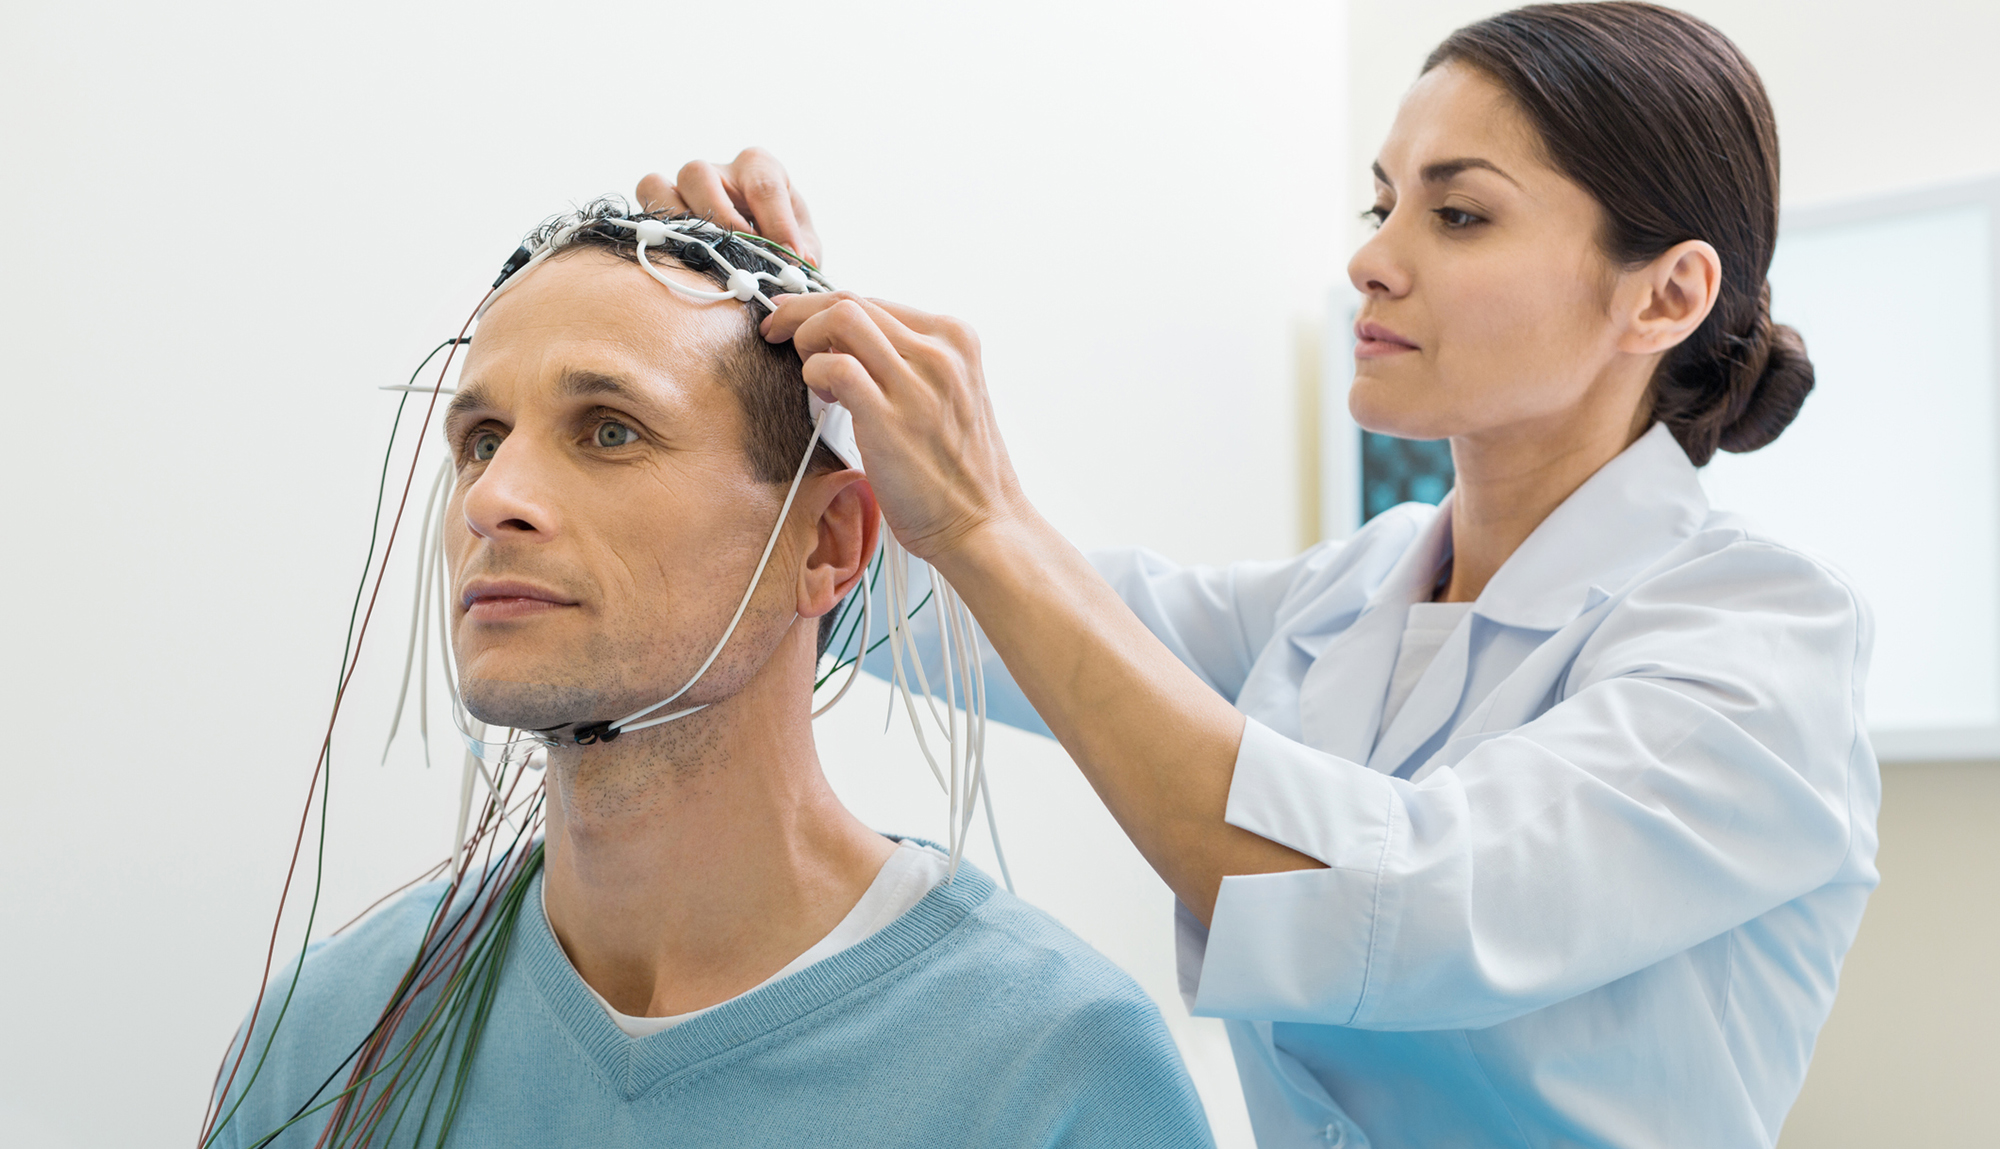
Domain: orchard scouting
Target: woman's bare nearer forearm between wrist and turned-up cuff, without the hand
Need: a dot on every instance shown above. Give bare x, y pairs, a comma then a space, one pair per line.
1151, 738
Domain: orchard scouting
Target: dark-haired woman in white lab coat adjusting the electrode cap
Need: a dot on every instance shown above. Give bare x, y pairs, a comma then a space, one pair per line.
1541, 818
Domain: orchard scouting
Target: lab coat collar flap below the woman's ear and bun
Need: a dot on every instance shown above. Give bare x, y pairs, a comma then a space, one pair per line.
1621, 519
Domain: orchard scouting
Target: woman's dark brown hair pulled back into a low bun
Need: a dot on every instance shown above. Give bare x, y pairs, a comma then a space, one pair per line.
1667, 125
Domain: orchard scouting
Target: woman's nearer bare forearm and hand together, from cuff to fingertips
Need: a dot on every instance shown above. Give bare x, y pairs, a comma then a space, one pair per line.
1157, 744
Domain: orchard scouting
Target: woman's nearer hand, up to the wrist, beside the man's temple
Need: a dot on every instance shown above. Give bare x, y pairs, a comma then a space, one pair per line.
921, 415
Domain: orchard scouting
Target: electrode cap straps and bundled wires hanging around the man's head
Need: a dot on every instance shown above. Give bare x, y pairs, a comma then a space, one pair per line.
407, 1078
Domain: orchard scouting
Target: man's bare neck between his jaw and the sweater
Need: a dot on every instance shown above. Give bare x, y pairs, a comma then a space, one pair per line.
691, 862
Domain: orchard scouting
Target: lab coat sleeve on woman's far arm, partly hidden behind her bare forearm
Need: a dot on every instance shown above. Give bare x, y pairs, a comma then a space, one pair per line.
1215, 620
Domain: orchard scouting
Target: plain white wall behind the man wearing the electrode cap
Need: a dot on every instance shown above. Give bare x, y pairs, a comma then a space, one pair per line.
229, 223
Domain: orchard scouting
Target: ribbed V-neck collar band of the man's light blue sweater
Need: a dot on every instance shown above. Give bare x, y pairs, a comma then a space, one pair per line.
641, 1064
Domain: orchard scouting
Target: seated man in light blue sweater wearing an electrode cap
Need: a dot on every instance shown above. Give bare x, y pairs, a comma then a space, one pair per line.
715, 952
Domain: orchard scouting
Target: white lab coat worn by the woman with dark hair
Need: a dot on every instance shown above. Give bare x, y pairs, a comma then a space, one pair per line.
1595, 882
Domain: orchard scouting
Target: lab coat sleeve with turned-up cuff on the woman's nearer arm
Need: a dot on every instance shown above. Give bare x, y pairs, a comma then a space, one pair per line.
1705, 764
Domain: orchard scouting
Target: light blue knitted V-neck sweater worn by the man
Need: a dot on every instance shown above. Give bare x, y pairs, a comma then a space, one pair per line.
973, 1020
